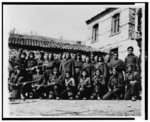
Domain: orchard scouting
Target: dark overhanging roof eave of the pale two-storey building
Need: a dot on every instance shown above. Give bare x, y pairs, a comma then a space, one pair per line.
98, 16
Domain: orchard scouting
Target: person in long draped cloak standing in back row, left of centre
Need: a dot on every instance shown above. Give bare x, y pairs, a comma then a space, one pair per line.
67, 64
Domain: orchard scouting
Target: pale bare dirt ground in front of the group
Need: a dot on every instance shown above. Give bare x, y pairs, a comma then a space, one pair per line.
36, 107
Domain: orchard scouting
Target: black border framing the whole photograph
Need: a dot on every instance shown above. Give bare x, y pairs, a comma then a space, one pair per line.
85, 3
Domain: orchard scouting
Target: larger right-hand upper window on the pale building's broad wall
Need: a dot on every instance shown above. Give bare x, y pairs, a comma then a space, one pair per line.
115, 23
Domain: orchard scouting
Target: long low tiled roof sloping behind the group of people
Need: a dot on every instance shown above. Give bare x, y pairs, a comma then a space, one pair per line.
30, 41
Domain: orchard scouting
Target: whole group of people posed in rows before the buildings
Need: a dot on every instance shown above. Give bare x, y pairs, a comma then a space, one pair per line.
72, 76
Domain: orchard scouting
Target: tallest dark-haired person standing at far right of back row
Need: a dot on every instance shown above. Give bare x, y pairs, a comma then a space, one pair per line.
132, 59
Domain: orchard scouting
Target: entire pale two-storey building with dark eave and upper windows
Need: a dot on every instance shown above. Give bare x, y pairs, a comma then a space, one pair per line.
114, 29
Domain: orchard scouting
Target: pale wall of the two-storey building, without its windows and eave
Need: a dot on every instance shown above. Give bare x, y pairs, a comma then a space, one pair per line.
121, 40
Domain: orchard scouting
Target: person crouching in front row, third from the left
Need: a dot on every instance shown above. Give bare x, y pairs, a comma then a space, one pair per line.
54, 85
